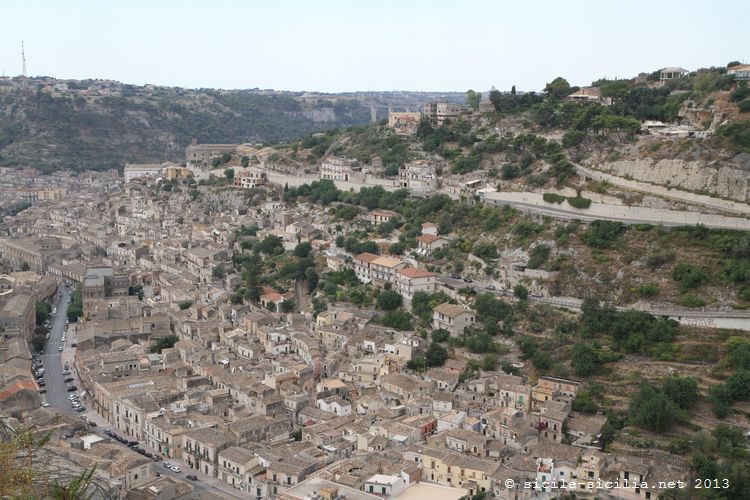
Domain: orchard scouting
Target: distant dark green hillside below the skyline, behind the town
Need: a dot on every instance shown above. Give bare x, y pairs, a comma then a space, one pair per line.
50, 124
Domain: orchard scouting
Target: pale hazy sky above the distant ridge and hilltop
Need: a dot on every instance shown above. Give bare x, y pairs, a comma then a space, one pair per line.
367, 45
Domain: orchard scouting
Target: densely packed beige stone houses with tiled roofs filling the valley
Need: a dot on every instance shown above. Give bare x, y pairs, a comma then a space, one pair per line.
278, 404
